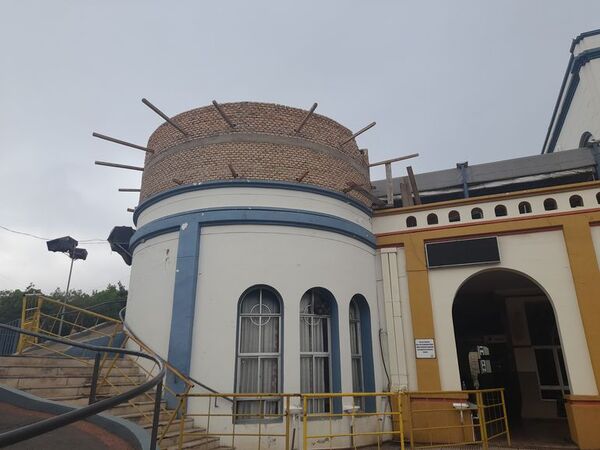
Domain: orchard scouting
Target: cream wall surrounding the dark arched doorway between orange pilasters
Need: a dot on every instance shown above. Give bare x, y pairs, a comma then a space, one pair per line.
543, 257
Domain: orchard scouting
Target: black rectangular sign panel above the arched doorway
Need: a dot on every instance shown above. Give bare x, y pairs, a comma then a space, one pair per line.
463, 252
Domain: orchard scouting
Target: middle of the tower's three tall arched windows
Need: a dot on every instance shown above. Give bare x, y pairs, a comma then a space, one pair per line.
319, 347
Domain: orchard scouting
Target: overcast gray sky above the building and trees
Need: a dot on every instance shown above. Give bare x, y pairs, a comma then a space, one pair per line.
452, 80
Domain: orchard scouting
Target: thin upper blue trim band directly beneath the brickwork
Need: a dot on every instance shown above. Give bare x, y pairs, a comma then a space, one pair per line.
251, 184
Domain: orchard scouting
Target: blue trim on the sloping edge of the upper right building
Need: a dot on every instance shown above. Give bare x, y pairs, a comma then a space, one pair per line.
575, 65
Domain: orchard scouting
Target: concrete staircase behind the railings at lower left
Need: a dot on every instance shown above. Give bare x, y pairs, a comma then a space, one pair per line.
68, 380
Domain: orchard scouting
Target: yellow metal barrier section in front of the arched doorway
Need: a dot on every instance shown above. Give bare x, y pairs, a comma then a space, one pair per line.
455, 418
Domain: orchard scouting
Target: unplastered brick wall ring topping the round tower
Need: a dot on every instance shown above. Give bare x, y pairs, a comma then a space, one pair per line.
254, 160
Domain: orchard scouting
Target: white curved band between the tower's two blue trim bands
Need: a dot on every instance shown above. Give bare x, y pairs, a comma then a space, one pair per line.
253, 197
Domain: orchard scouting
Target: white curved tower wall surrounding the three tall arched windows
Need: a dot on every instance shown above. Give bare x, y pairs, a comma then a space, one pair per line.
291, 260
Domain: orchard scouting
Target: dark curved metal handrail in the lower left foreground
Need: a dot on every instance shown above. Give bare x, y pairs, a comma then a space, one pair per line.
52, 423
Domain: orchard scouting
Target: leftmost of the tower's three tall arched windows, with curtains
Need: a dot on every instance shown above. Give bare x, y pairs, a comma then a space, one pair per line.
259, 349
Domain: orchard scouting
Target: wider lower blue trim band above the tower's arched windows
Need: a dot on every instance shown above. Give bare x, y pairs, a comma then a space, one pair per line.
253, 216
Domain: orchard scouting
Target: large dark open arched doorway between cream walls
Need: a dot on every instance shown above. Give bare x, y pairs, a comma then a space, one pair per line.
507, 336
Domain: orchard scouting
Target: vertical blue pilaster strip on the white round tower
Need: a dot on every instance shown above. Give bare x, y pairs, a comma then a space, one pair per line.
184, 307
